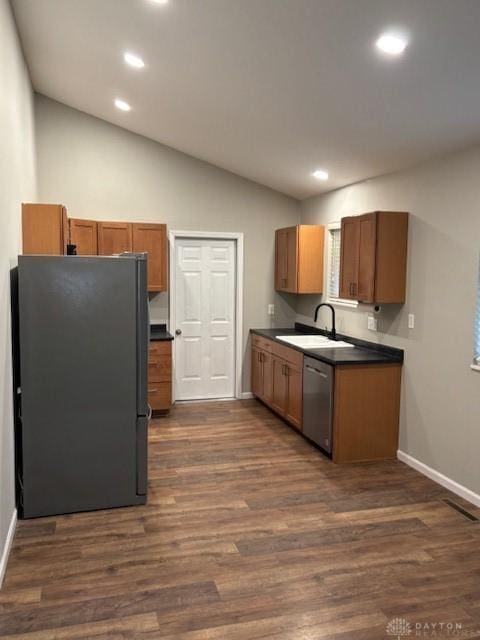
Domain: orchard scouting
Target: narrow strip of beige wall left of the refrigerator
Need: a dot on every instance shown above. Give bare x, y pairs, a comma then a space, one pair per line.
17, 179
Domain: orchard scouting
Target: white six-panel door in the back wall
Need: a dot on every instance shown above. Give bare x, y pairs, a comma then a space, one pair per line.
205, 316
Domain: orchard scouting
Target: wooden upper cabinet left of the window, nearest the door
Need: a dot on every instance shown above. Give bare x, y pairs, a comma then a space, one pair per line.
299, 259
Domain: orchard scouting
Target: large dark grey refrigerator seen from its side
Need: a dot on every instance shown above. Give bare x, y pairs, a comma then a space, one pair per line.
81, 334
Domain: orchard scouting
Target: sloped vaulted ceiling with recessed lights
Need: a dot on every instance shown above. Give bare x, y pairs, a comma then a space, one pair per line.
269, 89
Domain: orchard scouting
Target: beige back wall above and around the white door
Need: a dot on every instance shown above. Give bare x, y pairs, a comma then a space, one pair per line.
99, 170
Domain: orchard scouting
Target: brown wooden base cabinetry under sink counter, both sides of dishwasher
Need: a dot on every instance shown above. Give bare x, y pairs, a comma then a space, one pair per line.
366, 405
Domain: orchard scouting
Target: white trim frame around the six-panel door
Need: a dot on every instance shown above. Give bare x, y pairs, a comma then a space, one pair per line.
238, 243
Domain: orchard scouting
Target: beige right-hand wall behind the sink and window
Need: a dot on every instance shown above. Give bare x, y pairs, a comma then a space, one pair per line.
440, 417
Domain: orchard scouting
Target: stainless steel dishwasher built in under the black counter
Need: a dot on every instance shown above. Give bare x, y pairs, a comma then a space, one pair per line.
318, 403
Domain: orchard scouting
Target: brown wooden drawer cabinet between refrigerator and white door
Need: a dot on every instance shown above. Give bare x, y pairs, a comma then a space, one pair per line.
160, 375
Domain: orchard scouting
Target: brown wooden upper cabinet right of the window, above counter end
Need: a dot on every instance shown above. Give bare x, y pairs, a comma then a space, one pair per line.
373, 261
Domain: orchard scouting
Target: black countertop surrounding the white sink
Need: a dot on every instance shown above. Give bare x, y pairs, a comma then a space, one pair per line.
362, 353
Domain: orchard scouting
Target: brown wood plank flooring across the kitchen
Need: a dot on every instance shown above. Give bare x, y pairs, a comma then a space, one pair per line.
249, 533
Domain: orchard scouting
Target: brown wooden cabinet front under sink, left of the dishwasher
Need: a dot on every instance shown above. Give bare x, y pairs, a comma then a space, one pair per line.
277, 378
